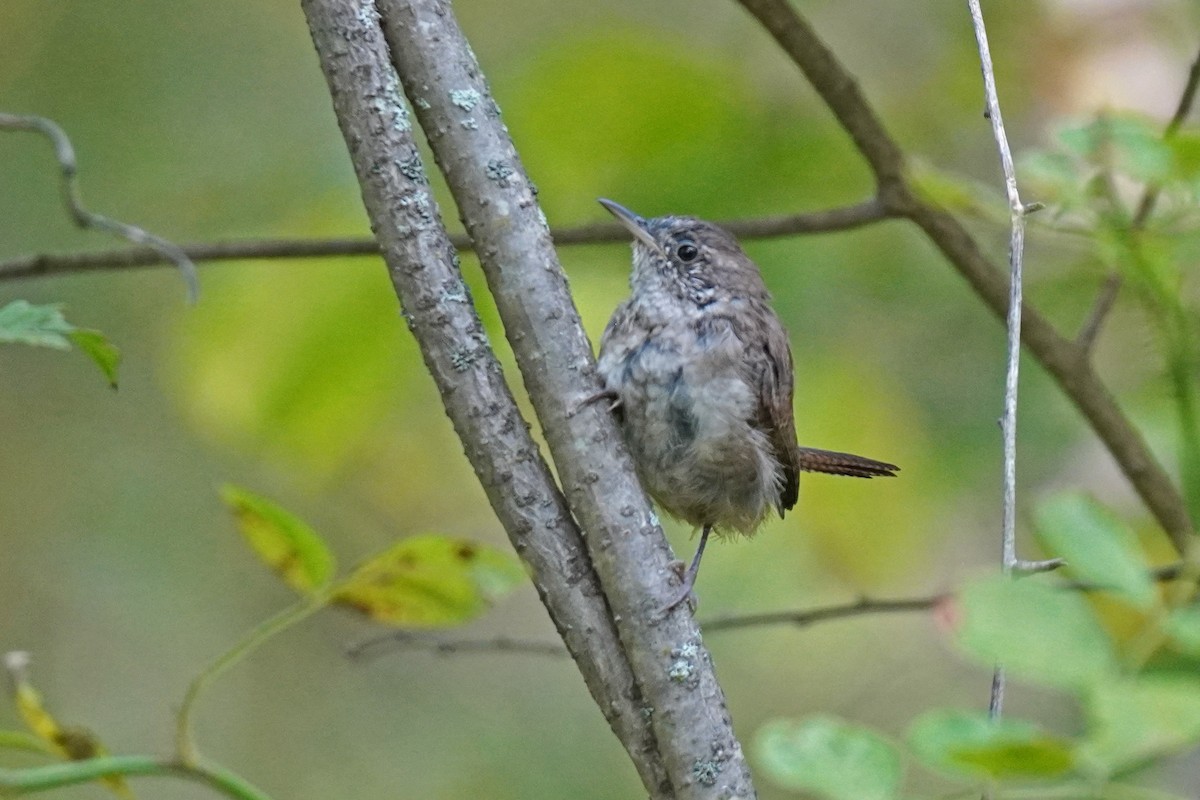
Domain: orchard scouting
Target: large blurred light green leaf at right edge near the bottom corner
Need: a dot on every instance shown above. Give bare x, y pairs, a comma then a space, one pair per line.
1132, 720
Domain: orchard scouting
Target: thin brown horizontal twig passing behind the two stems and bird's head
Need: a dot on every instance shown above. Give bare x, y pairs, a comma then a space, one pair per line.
789, 225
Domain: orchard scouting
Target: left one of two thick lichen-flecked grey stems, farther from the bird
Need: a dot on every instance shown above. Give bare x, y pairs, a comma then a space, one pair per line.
424, 270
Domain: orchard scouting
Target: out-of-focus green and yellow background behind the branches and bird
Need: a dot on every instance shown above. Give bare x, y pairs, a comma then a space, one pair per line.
209, 119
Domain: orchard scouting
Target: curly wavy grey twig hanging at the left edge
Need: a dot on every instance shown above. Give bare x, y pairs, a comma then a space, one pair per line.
86, 219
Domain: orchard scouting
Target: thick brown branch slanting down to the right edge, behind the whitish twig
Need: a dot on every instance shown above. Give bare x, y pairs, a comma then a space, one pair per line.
1065, 360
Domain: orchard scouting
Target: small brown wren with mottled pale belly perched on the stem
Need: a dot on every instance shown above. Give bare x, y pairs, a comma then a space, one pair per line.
700, 372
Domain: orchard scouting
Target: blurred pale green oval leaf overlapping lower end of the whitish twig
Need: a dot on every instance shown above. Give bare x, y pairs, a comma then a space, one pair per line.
1039, 633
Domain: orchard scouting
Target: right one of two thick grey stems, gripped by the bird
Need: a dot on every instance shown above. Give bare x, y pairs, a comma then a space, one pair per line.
497, 204
